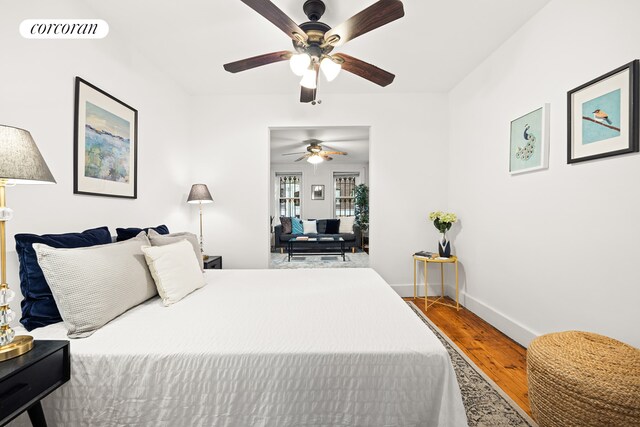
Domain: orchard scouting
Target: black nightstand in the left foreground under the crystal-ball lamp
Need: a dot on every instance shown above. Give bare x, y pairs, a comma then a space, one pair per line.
26, 379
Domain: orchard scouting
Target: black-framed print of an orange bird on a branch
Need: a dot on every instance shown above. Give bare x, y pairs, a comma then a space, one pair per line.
603, 116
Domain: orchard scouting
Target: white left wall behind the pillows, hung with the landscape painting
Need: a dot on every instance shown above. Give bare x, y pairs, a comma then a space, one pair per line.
37, 93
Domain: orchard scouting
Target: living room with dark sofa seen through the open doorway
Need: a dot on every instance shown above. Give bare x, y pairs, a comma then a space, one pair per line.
319, 197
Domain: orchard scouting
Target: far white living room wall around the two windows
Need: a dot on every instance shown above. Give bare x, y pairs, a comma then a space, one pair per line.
321, 175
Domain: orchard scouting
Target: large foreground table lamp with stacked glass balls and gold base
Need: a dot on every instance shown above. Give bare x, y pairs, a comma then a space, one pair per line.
20, 163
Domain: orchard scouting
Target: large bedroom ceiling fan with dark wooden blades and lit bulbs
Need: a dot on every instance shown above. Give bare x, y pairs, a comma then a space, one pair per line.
314, 41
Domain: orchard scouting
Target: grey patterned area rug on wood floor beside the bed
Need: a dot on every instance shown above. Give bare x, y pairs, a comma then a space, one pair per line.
486, 404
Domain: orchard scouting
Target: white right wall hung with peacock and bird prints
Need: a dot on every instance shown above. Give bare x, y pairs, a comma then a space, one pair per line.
557, 249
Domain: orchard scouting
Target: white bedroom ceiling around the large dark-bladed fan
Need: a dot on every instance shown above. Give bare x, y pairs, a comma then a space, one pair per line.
435, 45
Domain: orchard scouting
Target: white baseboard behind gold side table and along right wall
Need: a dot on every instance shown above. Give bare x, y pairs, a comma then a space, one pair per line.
505, 324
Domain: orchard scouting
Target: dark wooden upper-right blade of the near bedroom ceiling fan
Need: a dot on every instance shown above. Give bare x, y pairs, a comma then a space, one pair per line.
376, 15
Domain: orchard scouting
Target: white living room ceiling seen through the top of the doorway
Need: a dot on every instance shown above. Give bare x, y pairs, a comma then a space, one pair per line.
352, 139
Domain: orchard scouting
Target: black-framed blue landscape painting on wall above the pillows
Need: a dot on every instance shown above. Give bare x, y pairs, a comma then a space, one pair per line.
105, 144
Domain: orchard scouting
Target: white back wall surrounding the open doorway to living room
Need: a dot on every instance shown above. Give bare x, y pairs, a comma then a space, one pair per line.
407, 169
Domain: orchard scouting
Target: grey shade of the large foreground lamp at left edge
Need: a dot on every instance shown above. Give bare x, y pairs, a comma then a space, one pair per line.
20, 159
